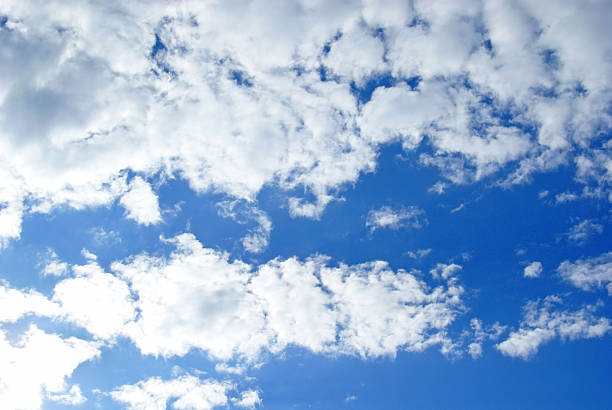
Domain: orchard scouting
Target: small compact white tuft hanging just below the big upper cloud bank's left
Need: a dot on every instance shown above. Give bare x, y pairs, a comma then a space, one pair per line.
141, 203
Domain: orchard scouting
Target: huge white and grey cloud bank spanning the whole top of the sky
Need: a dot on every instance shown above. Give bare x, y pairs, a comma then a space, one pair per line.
286, 100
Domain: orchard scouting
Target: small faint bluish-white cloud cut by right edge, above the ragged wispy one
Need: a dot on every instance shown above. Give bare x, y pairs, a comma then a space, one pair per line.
589, 273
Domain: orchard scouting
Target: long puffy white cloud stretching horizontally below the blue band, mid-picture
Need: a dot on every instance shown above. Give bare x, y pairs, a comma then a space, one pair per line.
197, 298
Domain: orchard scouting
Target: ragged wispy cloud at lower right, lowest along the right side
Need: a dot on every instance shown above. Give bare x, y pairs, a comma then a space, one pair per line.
543, 322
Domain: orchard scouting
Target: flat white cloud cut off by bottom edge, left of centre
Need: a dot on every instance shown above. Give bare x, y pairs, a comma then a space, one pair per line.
188, 392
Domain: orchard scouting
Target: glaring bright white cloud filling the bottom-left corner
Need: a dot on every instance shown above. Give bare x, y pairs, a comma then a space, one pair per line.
37, 367
